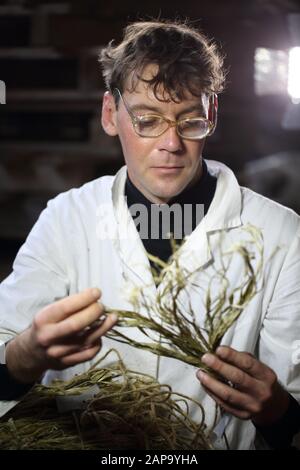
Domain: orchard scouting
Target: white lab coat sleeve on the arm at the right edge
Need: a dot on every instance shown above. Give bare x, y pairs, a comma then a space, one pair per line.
279, 344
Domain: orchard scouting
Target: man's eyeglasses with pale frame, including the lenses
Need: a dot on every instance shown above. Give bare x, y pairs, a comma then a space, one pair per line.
154, 125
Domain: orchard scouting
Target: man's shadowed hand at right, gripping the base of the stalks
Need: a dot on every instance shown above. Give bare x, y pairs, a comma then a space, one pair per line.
252, 390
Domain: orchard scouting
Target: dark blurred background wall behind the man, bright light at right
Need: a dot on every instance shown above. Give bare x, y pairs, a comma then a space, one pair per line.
50, 81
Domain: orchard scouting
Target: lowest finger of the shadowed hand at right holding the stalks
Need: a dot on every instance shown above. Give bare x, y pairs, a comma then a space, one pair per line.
227, 394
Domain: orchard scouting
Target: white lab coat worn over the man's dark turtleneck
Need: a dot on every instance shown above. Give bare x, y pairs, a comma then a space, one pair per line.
79, 242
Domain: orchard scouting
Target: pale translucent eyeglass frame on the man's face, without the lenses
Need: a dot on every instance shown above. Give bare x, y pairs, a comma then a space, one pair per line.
170, 122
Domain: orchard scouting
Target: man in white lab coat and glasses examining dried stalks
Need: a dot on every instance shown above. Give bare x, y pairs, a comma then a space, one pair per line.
162, 82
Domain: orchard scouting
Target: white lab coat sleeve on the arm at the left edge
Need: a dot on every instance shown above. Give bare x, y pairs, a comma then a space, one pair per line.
39, 278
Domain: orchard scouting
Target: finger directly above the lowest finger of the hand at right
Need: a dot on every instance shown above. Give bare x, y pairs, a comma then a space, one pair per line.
241, 379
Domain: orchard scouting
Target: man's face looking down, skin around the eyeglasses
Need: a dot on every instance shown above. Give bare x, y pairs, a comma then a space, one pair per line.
160, 167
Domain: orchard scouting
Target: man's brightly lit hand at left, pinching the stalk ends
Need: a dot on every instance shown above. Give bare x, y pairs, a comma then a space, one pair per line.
62, 334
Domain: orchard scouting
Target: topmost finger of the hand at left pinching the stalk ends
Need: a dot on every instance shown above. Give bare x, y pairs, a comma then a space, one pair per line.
63, 308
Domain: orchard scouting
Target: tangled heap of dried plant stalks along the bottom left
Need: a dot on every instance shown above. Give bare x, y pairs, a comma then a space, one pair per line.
131, 411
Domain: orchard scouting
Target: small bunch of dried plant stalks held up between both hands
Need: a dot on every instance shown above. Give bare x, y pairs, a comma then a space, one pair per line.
175, 332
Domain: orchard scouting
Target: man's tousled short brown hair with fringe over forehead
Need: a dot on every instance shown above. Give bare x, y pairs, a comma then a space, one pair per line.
186, 60
